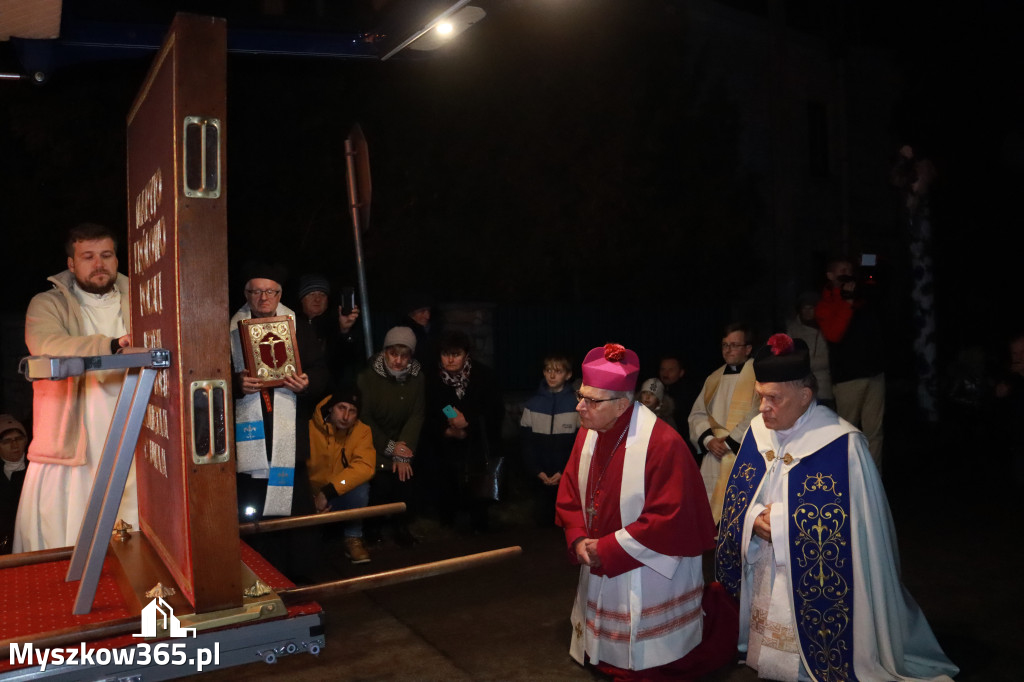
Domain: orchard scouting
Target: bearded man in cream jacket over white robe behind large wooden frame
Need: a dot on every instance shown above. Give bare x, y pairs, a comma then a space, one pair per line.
86, 314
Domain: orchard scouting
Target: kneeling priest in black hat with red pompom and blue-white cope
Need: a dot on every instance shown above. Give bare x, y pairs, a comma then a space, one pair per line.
807, 543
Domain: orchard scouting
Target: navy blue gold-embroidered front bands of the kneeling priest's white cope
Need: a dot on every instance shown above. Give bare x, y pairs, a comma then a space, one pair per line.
822, 553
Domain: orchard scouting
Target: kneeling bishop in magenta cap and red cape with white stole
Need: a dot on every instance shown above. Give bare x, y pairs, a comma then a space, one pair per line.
637, 521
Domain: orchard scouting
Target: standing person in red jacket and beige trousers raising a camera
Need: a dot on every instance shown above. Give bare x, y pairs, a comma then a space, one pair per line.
856, 350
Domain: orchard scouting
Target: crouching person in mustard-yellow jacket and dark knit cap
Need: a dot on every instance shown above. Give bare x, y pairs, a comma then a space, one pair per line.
343, 460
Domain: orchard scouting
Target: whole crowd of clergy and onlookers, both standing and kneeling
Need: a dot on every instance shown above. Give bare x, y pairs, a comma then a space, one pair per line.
645, 478
